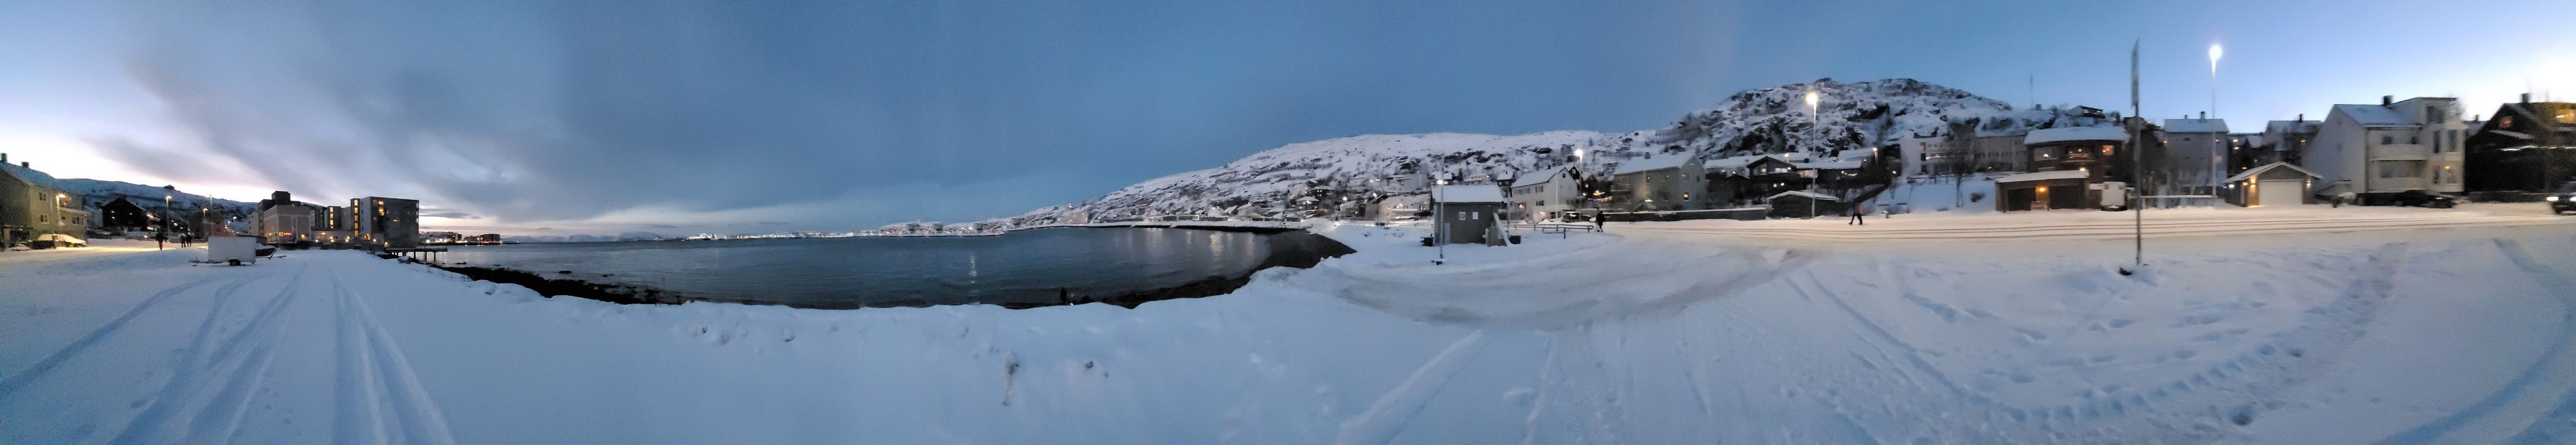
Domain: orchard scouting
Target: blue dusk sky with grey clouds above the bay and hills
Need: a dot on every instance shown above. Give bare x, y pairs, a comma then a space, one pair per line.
535, 117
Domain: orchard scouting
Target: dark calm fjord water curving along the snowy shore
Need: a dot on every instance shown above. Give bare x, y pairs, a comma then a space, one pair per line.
1021, 269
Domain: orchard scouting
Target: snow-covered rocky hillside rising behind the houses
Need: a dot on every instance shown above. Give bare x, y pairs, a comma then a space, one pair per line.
1312, 176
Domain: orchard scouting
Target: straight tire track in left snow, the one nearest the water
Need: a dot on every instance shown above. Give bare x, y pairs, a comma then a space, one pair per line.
377, 395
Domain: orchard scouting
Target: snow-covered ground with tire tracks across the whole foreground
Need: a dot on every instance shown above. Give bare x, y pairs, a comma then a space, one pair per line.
1681, 336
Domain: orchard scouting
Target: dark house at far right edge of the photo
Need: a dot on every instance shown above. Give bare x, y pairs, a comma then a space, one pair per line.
2526, 148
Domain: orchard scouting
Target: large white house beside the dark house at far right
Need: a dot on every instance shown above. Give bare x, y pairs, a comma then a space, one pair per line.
2392, 148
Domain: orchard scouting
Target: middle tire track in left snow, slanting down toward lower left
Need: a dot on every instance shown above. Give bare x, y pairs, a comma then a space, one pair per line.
189, 377
